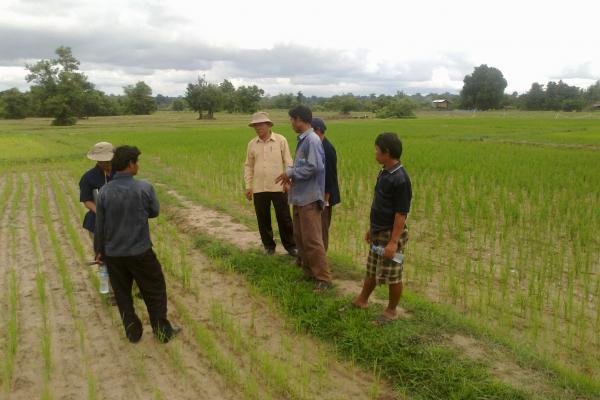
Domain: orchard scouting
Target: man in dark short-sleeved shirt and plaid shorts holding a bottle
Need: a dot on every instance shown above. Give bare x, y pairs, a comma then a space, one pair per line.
389, 210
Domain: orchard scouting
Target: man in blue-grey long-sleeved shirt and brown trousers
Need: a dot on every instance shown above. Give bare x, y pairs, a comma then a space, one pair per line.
307, 188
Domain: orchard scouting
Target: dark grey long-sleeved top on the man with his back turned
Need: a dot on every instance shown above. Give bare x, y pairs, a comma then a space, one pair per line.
122, 211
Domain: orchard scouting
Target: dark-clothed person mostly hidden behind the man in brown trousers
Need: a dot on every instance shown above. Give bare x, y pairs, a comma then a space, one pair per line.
332, 188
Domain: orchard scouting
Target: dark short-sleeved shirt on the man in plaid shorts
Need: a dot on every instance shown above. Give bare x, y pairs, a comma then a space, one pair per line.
393, 194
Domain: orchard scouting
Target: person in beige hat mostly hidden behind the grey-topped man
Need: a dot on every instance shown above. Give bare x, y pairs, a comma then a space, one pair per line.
89, 185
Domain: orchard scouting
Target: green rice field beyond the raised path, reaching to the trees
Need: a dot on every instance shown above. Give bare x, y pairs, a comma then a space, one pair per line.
503, 229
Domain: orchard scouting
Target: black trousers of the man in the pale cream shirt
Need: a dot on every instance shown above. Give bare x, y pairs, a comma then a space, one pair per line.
262, 206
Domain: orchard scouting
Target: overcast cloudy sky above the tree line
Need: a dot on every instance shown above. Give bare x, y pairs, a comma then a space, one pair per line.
319, 47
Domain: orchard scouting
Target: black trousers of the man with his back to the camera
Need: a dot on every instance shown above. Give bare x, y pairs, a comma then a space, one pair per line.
146, 270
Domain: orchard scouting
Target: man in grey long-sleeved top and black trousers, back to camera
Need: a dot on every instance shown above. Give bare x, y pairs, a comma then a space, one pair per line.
122, 240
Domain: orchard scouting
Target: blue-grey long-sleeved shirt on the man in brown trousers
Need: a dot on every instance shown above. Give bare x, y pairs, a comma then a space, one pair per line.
308, 172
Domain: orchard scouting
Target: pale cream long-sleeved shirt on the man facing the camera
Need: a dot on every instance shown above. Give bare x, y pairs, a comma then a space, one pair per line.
265, 161
